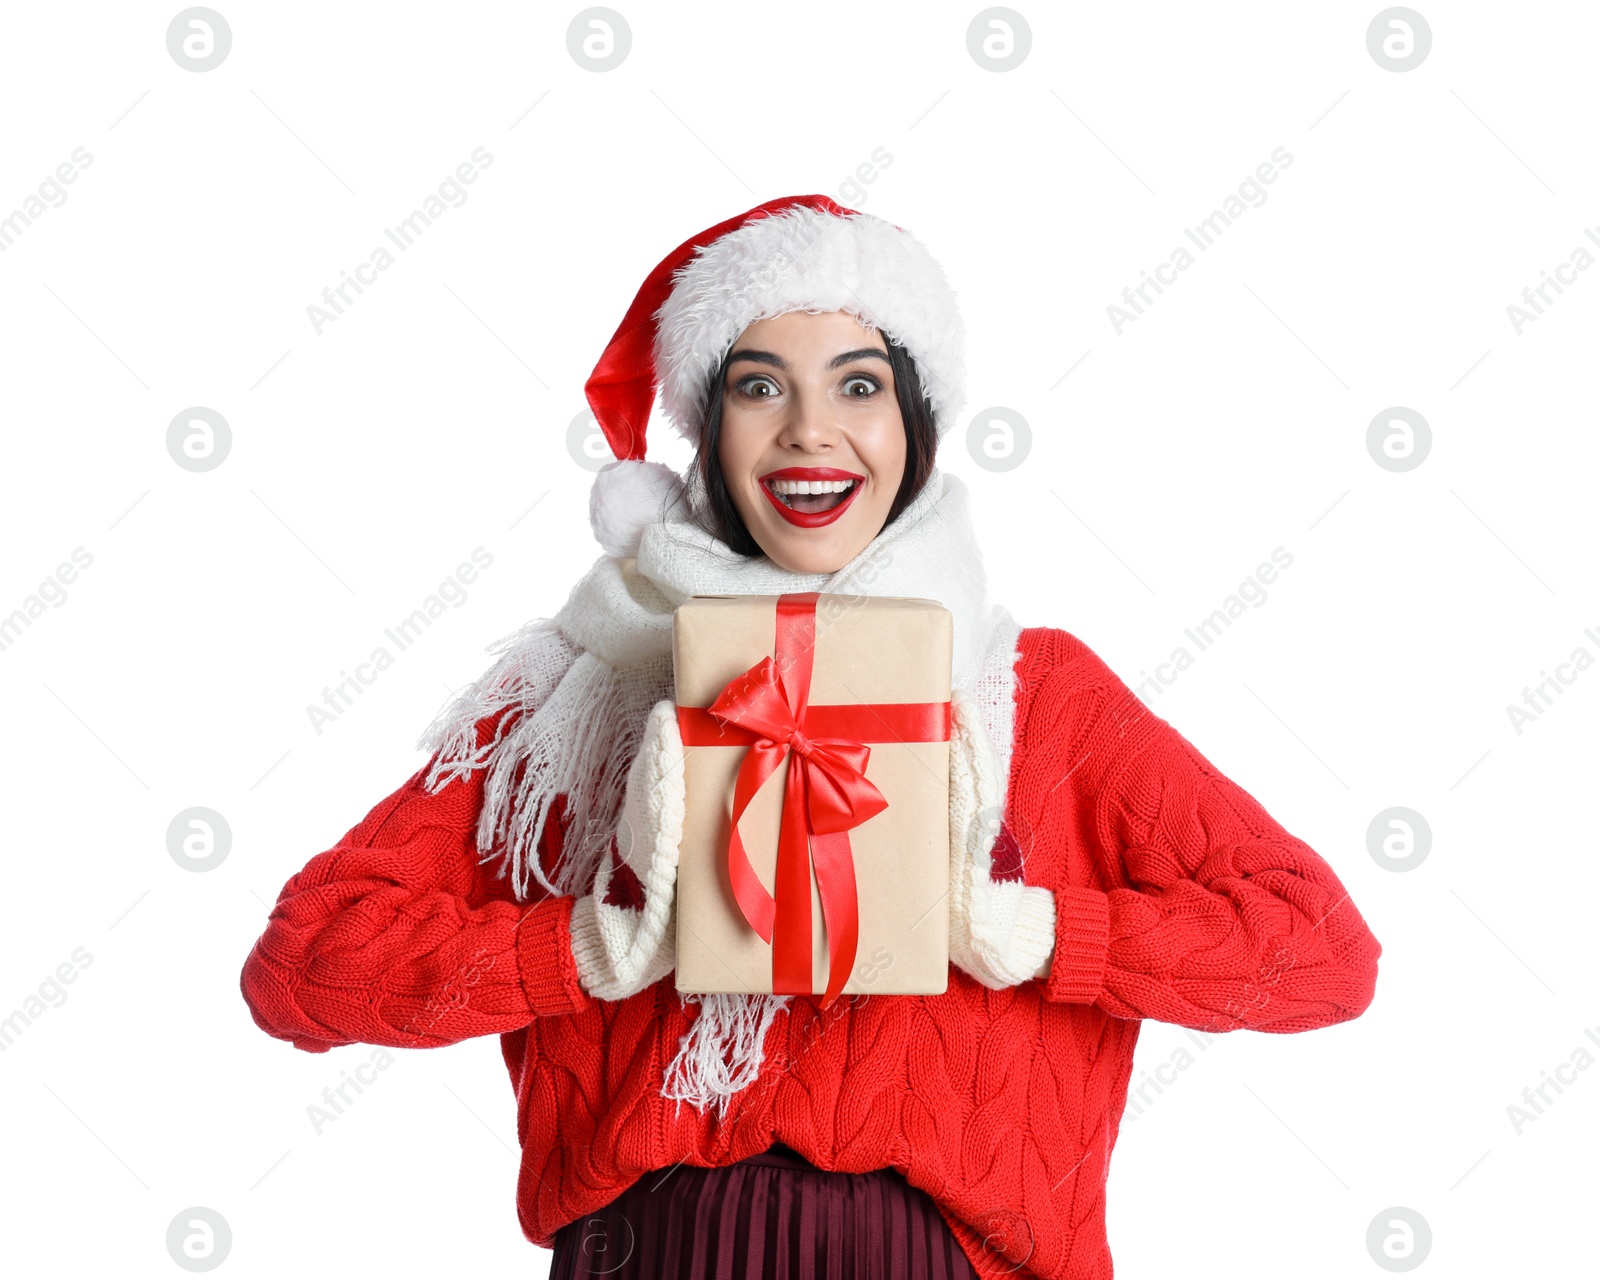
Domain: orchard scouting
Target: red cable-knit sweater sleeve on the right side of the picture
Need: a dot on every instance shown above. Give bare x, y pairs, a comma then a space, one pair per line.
1206, 911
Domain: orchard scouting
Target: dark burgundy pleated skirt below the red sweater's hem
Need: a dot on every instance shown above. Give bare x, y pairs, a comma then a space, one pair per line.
774, 1217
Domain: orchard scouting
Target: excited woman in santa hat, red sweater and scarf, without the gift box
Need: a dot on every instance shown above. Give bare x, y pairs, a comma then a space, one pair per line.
522, 882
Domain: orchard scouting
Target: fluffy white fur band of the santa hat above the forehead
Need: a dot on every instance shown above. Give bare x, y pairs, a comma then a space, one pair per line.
809, 260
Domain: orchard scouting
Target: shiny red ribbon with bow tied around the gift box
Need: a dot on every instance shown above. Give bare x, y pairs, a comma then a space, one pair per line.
826, 793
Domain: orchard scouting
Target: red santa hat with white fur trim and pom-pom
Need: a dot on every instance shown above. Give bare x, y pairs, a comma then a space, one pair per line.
798, 254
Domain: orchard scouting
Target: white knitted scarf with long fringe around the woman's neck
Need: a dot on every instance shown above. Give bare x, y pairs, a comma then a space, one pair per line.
585, 681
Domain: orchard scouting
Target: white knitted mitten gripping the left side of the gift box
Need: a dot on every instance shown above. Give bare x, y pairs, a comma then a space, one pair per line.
625, 929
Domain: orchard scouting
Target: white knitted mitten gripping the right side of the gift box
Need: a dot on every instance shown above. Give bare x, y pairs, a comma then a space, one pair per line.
1002, 932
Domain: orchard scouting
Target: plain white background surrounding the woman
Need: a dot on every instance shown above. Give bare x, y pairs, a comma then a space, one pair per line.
431, 418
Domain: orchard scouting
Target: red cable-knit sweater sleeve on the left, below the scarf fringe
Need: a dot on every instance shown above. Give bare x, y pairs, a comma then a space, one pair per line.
399, 937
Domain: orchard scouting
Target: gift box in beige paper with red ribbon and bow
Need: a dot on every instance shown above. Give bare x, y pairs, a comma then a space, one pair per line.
815, 855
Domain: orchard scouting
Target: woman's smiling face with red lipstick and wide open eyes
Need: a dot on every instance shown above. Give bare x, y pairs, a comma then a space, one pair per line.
814, 446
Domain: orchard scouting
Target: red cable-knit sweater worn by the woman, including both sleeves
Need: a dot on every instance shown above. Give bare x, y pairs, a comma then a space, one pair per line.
1178, 898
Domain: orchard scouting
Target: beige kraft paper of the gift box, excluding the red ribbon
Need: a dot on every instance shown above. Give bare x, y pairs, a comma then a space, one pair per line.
868, 650
